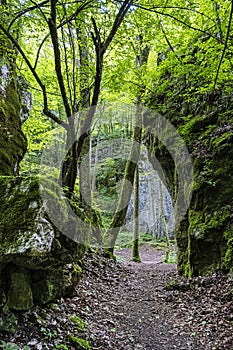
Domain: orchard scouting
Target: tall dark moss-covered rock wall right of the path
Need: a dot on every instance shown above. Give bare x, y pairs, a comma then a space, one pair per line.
205, 235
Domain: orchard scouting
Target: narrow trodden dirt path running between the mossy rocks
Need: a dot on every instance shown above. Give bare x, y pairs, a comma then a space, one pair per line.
142, 317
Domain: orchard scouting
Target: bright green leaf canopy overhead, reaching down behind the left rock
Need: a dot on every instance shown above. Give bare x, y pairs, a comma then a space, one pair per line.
193, 60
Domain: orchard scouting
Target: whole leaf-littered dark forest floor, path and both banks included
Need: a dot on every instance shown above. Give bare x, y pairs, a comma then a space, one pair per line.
132, 306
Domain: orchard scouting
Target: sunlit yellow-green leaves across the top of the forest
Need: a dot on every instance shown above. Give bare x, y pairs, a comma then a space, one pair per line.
185, 38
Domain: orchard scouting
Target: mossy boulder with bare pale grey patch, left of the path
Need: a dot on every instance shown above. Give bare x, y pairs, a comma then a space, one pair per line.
38, 263
